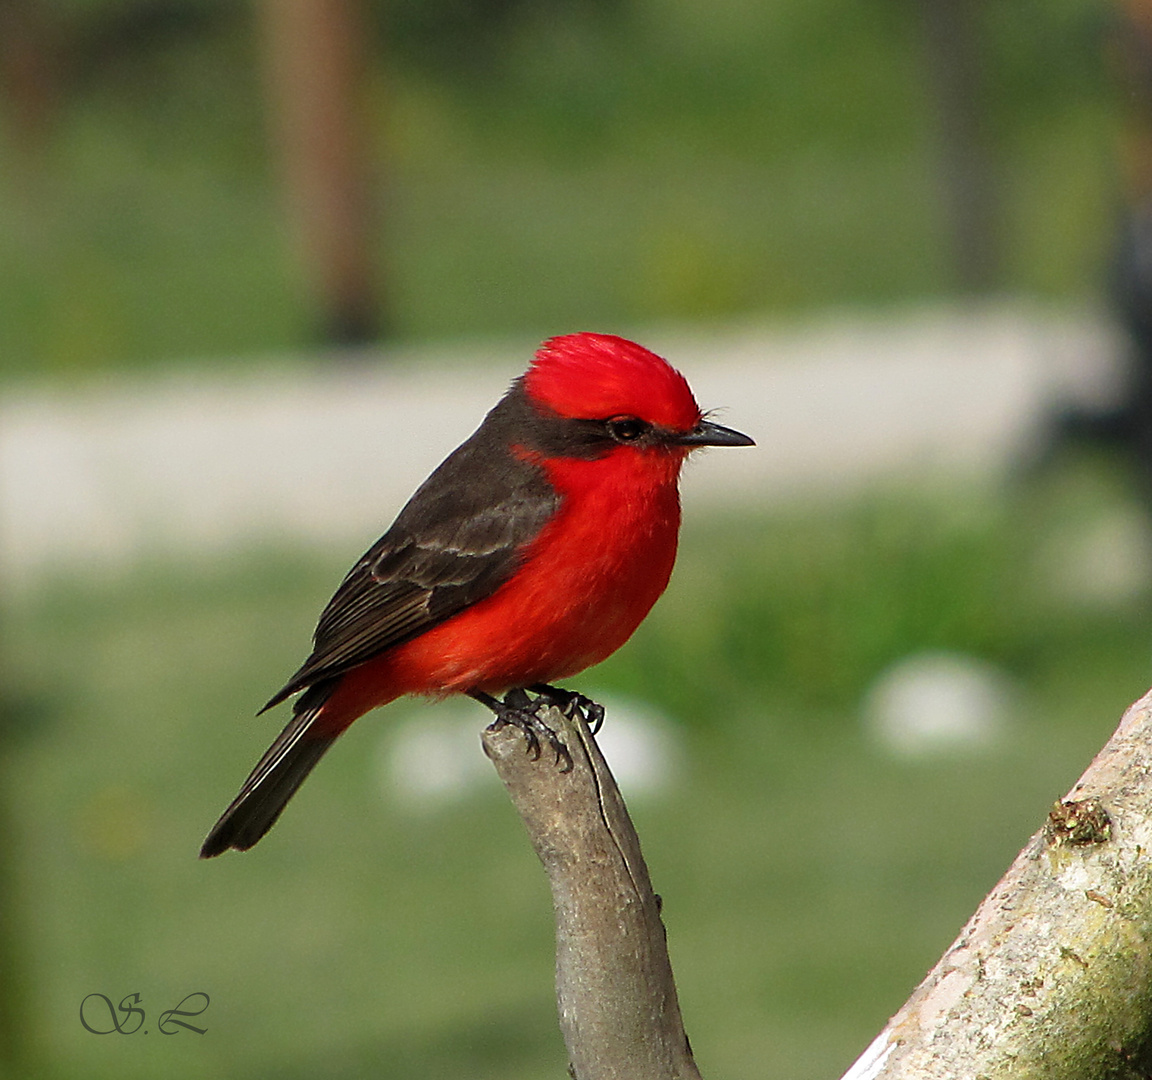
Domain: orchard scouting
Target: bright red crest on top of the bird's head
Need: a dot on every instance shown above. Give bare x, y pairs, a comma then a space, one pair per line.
601, 376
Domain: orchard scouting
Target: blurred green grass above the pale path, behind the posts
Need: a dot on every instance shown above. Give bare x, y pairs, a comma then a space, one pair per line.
586, 166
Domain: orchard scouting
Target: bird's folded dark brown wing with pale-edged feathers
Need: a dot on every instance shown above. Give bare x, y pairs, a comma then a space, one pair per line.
456, 543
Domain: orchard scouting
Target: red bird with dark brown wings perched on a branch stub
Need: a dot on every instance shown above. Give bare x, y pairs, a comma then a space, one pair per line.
533, 553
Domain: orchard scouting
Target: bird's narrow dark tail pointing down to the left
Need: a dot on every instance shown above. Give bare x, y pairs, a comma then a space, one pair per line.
276, 778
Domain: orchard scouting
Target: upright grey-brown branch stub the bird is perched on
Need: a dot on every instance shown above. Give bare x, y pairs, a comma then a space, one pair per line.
617, 999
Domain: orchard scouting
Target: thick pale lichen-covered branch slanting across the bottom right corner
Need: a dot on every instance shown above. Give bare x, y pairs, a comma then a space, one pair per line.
1052, 977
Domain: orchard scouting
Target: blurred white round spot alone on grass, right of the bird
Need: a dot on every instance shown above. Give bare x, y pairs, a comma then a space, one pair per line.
937, 704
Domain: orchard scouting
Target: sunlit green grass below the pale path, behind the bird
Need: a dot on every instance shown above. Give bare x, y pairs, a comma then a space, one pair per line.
809, 879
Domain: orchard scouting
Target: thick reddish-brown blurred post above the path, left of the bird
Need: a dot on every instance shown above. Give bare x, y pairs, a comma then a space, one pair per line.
317, 69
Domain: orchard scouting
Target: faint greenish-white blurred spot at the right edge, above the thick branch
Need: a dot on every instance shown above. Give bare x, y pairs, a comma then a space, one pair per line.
1106, 562
